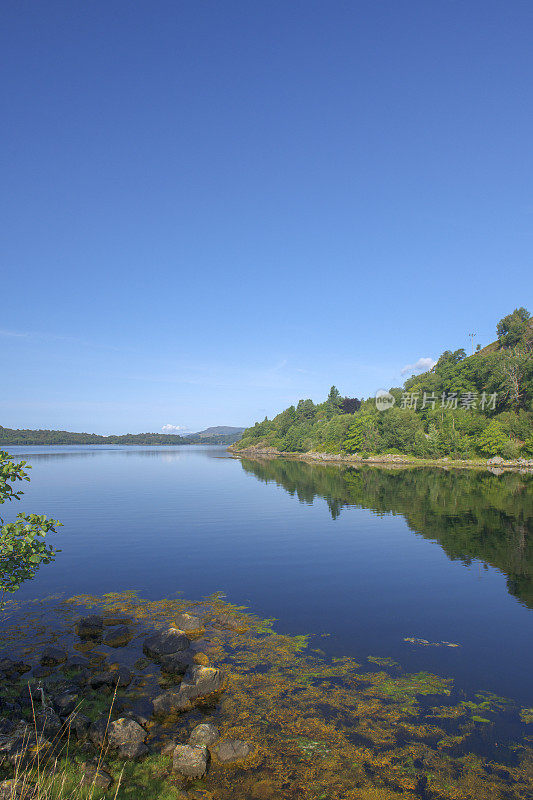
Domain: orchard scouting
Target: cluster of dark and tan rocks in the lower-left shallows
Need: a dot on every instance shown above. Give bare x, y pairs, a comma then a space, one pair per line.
127, 709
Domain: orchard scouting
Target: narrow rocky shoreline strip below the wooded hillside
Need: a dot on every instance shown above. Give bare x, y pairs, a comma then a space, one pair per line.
387, 460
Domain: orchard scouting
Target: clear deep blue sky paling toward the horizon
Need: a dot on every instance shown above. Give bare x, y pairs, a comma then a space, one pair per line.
212, 209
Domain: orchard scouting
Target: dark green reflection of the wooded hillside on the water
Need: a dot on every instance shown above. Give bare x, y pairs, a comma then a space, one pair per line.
471, 514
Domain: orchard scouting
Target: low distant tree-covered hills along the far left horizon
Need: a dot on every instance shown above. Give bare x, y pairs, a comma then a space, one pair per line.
217, 435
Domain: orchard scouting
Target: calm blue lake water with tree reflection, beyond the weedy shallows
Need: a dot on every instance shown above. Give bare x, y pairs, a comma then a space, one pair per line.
311, 546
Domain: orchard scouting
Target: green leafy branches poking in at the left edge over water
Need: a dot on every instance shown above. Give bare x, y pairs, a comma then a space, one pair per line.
22, 543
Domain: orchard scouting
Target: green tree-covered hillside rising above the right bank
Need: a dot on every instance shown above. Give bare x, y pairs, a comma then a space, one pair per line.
464, 407
